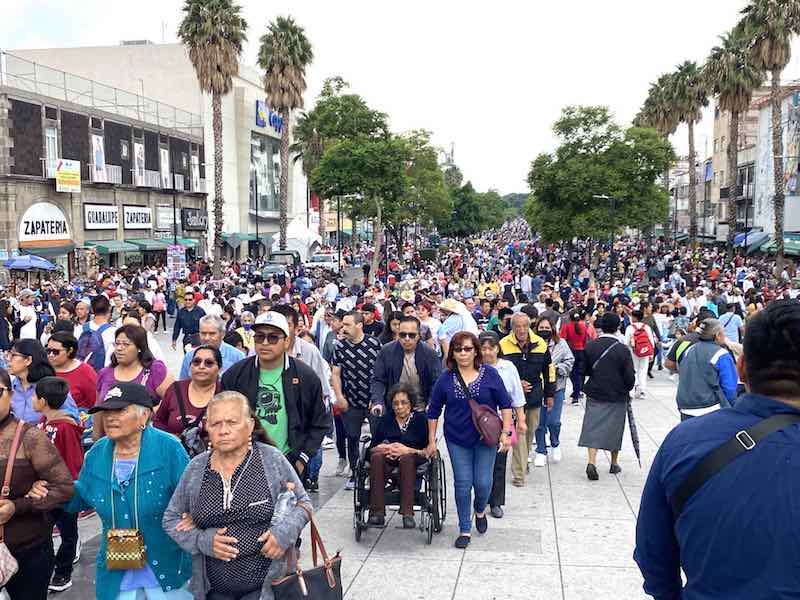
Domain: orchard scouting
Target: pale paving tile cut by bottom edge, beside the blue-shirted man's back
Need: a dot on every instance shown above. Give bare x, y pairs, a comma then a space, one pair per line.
602, 583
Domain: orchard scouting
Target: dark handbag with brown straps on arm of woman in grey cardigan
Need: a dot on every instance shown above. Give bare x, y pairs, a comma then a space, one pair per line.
322, 582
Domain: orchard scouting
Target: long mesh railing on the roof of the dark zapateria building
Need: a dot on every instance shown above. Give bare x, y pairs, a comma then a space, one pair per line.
31, 77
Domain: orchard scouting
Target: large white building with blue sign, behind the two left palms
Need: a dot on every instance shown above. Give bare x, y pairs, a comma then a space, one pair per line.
251, 132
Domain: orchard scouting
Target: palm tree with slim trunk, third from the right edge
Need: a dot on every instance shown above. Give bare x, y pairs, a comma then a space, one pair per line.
689, 96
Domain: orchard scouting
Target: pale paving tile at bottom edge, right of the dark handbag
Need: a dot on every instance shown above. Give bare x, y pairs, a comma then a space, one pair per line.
405, 579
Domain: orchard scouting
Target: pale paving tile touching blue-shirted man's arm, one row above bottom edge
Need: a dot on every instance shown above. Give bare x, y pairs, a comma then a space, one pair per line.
594, 542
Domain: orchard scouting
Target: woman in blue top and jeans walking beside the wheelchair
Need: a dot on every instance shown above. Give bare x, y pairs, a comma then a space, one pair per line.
472, 460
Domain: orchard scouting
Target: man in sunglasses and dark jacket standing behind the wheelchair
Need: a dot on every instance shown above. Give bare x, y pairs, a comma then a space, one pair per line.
405, 361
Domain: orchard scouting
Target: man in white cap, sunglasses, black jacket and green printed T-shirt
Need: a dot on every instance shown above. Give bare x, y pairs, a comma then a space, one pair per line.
285, 393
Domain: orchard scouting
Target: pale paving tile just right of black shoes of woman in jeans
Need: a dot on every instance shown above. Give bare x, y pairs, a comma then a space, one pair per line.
514, 539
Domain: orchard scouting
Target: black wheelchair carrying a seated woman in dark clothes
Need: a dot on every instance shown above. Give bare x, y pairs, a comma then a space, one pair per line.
430, 494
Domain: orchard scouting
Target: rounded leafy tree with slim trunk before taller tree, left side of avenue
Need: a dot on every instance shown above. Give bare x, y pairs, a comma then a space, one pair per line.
370, 174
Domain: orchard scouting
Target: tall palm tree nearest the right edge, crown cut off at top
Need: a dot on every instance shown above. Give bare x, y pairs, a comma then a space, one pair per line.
770, 26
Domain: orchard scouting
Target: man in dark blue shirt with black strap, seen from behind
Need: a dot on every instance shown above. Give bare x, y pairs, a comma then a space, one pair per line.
720, 501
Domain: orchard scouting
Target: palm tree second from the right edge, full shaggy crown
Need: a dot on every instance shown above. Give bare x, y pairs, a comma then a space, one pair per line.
732, 73
